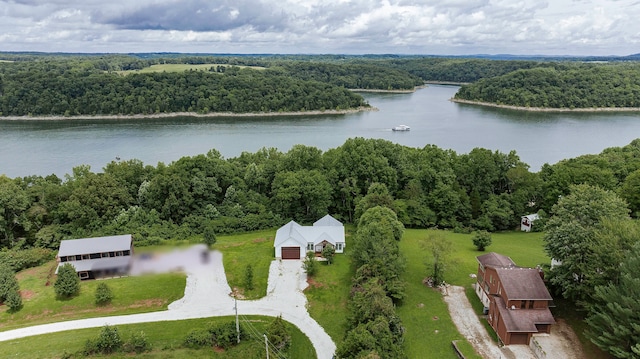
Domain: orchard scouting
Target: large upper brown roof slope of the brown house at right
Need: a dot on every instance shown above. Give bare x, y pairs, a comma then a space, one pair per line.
523, 284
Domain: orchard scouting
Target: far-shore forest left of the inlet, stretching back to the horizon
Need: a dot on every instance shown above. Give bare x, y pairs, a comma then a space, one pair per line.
94, 85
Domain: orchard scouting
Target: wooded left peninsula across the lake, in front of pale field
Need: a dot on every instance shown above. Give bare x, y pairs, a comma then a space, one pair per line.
37, 89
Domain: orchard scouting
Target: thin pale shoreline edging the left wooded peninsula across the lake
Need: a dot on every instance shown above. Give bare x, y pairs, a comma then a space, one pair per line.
186, 114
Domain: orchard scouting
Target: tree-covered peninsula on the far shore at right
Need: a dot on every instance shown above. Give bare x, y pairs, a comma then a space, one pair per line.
567, 87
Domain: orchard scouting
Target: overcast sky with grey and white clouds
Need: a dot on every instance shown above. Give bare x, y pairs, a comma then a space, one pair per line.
442, 27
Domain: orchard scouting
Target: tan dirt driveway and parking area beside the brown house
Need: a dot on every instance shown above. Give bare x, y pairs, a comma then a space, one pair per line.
561, 343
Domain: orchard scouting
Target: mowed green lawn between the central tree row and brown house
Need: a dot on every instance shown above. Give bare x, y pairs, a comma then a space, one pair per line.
429, 329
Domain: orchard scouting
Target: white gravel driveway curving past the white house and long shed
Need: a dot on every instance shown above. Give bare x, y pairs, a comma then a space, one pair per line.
207, 295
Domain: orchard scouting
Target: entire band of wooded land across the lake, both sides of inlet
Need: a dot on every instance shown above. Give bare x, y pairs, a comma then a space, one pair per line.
45, 85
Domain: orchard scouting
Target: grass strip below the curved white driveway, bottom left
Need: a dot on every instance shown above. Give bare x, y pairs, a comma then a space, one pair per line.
165, 338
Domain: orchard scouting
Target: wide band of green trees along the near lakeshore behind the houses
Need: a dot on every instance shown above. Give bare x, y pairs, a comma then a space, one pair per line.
428, 187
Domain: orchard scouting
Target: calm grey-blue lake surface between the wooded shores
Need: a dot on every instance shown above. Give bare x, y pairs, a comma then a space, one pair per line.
46, 147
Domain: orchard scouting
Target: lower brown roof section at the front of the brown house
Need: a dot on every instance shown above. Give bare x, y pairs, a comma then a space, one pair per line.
523, 320
